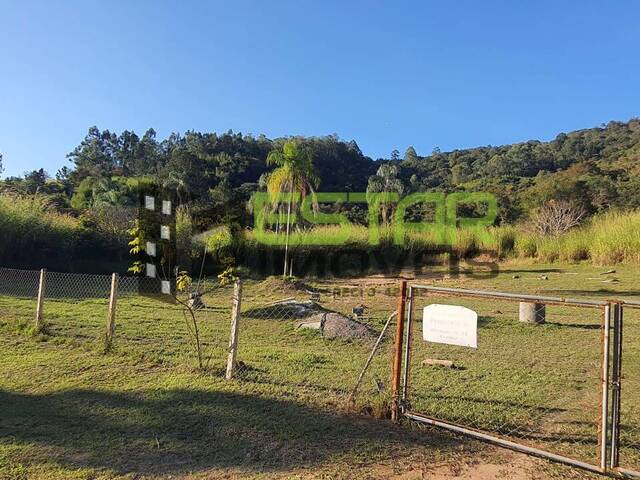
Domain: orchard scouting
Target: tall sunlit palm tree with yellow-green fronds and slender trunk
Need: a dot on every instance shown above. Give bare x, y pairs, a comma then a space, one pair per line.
293, 174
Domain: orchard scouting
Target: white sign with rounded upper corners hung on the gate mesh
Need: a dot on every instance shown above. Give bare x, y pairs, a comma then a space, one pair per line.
450, 324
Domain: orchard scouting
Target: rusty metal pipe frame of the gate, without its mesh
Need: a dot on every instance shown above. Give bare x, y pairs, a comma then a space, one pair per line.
607, 436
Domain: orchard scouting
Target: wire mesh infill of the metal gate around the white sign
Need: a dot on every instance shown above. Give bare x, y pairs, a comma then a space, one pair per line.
537, 383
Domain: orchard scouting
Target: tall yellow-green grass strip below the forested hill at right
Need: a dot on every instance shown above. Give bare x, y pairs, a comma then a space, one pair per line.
607, 239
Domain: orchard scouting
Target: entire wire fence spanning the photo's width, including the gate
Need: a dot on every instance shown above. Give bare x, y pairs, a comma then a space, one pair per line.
544, 376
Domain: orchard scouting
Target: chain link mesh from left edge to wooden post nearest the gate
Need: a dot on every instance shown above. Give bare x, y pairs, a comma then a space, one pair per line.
76, 309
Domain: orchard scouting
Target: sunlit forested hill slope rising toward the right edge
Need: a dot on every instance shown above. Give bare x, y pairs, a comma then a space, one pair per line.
597, 168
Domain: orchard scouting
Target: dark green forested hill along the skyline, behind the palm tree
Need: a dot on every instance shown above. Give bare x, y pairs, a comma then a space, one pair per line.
597, 168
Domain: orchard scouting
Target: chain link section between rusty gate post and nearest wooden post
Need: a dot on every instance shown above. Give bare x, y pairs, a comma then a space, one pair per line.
312, 340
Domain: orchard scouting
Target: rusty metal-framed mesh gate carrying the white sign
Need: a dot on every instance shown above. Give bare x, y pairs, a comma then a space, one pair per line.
553, 389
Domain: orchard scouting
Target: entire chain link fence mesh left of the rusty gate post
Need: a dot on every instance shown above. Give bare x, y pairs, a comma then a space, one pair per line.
299, 339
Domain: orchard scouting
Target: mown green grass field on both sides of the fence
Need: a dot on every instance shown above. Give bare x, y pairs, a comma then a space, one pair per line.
144, 411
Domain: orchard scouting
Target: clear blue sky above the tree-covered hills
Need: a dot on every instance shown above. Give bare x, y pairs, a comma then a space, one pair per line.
387, 74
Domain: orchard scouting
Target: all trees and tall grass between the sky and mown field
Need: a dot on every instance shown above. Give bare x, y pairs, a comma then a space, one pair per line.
597, 170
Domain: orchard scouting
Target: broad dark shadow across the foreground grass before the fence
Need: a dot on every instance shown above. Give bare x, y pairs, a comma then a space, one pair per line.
179, 431
